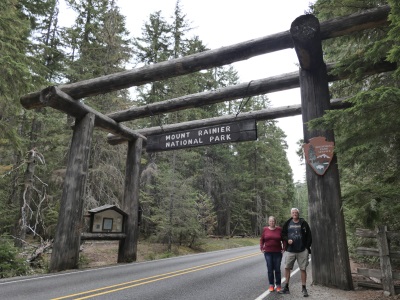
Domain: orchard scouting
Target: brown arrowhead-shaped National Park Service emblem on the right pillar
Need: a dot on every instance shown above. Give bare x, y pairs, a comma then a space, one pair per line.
319, 154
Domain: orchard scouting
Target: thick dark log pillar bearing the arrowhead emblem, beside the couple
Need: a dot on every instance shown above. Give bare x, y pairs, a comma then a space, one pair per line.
330, 258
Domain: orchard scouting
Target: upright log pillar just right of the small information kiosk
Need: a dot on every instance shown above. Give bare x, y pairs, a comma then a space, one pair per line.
127, 251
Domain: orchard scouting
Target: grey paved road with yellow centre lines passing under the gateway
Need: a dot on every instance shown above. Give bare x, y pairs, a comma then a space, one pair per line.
230, 274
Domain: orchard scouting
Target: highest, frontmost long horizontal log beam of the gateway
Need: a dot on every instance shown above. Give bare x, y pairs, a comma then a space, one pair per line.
210, 59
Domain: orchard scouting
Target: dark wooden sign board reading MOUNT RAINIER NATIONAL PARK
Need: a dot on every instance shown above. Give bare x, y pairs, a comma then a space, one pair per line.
226, 133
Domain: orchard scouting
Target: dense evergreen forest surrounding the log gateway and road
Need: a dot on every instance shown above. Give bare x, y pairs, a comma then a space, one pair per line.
225, 190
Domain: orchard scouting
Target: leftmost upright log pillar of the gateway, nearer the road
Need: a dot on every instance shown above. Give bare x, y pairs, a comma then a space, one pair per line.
66, 245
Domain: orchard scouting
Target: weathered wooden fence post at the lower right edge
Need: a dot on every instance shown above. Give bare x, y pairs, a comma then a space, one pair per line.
384, 255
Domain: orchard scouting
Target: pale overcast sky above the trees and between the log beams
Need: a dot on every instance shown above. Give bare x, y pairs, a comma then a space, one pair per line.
221, 23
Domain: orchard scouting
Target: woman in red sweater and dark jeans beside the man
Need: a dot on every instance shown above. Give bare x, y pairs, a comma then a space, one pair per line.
271, 245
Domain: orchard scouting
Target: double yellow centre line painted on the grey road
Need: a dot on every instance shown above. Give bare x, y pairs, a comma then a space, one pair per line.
142, 281
